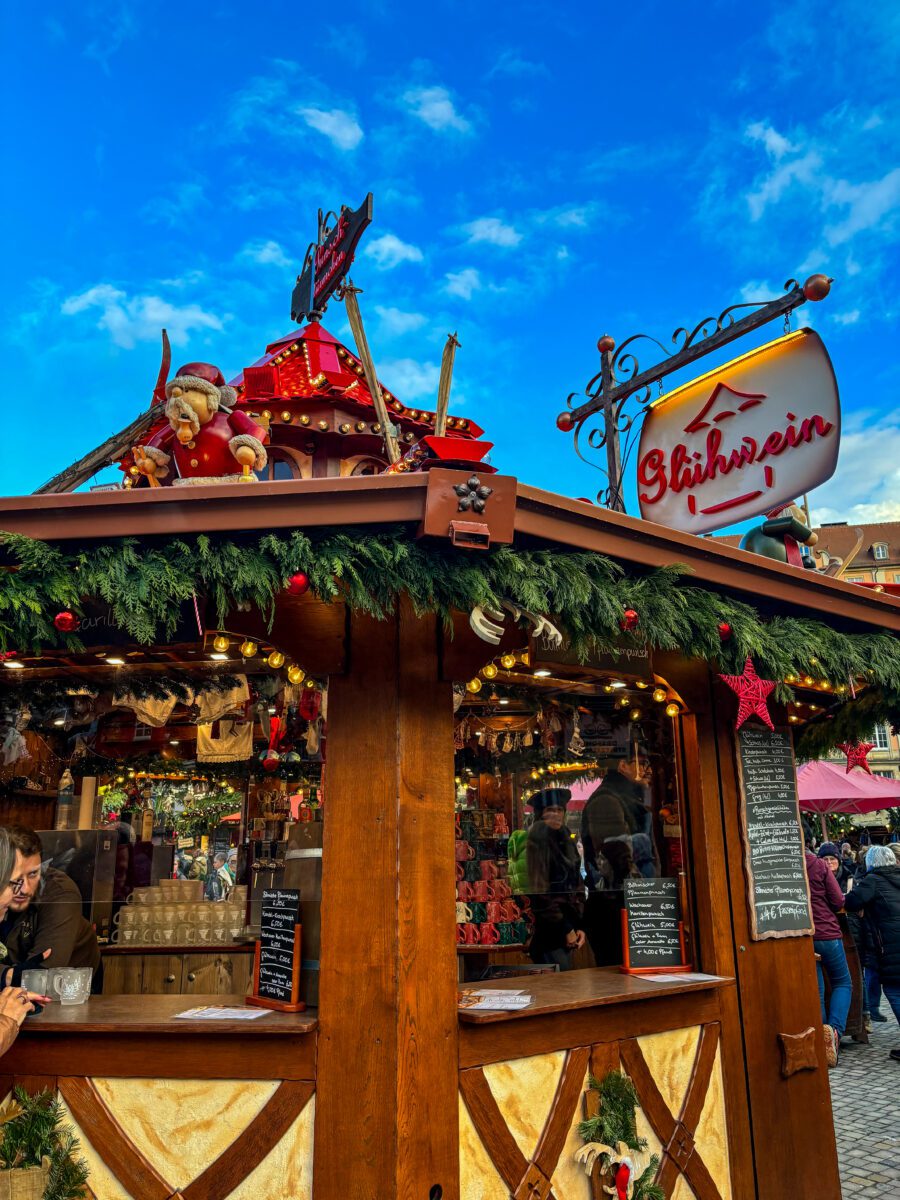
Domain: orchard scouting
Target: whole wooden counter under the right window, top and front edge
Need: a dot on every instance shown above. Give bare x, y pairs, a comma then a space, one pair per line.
577, 1009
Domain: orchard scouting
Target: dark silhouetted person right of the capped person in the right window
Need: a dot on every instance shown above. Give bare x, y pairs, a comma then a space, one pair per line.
615, 825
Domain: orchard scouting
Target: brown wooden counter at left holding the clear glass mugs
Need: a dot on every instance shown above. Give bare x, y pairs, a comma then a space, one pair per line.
142, 1039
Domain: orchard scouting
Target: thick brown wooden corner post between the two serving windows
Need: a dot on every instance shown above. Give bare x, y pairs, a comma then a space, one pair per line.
387, 1109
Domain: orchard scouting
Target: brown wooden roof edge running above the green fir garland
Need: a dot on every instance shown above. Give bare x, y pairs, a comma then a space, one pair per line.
541, 517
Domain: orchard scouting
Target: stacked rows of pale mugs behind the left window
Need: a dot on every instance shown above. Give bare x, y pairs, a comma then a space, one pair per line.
175, 914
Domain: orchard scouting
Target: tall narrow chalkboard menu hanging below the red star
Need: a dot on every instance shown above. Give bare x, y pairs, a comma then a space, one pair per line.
778, 892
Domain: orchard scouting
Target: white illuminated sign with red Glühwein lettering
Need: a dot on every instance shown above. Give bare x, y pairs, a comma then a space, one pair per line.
742, 440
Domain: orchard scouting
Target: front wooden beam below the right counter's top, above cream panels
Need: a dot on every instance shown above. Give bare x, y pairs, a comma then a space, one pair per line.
483, 1045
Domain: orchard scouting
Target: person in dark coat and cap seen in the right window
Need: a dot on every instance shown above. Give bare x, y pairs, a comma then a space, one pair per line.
557, 892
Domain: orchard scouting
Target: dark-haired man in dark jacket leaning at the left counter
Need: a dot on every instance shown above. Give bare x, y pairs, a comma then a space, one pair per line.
45, 915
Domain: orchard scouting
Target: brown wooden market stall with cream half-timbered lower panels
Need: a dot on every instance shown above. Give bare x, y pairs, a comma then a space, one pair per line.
385, 1088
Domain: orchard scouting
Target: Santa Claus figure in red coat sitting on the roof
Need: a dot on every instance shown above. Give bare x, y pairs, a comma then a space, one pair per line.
207, 441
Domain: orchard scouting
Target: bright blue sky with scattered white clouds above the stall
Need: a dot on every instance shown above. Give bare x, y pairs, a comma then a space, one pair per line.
542, 175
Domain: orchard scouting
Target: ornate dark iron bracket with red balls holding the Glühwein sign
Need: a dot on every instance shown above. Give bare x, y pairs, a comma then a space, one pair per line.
621, 379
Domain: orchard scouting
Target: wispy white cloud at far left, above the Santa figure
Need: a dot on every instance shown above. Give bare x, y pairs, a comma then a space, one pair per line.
140, 319
